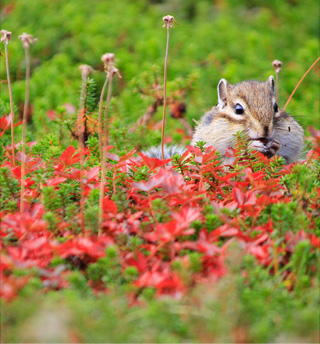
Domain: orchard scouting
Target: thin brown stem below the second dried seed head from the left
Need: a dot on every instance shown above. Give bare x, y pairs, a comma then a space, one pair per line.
24, 128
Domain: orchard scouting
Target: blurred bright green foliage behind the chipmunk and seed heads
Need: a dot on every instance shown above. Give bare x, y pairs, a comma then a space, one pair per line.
236, 40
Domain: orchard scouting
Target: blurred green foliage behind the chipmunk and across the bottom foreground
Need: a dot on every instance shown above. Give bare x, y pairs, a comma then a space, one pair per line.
236, 40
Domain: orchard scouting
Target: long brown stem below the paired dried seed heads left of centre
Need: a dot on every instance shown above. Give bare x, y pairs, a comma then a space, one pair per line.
104, 146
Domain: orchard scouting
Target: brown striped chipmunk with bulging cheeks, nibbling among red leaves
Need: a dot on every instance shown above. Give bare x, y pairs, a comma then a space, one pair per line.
249, 107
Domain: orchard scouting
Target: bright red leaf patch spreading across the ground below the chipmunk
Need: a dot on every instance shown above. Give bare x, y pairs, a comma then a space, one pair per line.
169, 213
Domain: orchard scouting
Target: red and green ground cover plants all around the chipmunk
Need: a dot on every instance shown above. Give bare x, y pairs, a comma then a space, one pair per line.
184, 249
